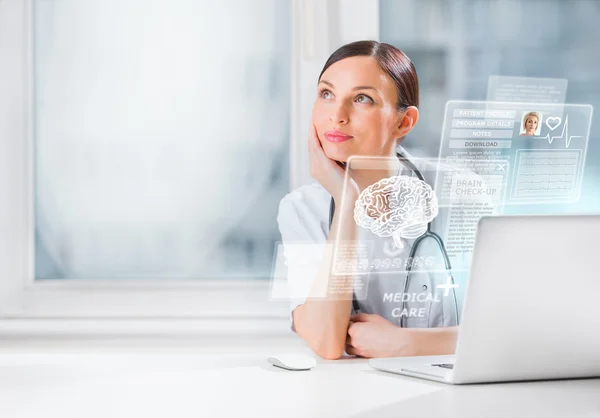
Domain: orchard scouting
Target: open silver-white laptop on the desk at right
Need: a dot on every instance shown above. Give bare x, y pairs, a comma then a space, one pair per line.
532, 305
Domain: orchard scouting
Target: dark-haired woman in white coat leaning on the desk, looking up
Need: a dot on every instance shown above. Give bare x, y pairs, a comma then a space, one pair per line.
366, 102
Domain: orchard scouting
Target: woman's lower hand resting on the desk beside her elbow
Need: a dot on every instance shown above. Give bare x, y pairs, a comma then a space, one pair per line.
371, 335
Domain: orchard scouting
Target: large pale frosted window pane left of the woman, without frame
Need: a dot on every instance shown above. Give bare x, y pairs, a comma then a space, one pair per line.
159, 153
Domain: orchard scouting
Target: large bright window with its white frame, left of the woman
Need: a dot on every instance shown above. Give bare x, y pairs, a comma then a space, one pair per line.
145, 147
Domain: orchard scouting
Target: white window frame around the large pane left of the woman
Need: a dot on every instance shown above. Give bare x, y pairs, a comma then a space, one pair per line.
226, 304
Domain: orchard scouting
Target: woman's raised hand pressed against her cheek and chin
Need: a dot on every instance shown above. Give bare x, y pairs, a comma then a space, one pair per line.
327, 171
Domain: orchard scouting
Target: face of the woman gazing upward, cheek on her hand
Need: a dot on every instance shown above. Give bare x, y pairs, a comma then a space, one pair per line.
355, 110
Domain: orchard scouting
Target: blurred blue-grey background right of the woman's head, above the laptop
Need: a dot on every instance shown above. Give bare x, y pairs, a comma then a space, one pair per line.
456, 45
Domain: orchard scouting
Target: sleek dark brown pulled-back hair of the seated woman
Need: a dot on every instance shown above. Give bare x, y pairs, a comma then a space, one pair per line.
391, 60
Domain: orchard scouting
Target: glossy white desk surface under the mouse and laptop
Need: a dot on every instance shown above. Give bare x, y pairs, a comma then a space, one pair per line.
233, 379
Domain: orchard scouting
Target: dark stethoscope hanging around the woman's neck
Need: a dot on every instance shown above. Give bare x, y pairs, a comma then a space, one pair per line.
413, 251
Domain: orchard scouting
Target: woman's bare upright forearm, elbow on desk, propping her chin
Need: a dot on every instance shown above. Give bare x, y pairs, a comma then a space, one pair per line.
323, 323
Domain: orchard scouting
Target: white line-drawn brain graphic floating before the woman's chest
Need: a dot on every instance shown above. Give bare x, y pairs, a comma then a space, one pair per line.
399, 206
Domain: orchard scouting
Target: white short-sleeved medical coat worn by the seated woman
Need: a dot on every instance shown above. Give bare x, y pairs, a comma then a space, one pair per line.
304, 225
